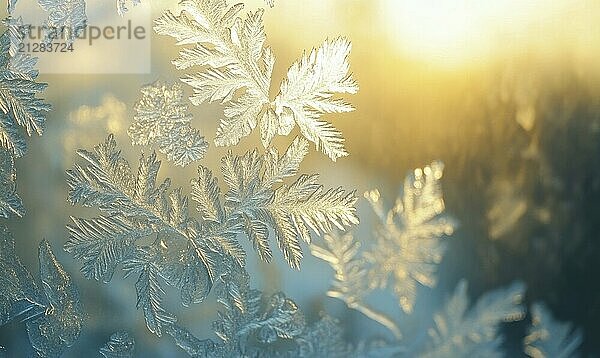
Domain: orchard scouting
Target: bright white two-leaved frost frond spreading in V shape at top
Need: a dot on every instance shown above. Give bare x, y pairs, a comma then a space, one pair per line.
235, 68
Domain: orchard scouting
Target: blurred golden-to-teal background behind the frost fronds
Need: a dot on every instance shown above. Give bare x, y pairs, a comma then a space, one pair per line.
505, 93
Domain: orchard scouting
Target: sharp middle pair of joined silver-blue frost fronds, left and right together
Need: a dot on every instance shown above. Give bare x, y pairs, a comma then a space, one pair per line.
150, 232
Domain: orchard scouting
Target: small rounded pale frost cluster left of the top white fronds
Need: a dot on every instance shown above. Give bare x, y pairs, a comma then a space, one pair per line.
162, 119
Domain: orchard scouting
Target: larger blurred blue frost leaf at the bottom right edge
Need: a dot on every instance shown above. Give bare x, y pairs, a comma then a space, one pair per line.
475, 333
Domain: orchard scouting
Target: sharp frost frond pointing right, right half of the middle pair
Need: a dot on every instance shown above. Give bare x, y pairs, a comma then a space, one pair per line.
254, 202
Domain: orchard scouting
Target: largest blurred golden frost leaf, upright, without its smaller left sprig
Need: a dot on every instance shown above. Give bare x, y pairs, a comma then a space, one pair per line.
410, 241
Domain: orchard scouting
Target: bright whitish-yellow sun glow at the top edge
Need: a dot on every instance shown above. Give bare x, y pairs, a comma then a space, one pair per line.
453, 32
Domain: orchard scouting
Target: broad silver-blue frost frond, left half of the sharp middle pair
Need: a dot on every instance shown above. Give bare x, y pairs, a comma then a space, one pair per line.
134, 206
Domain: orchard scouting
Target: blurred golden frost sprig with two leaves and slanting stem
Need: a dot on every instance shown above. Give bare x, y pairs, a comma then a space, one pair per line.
408, 246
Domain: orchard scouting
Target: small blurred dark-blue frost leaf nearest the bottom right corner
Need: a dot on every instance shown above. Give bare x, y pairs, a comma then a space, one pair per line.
548, 338
